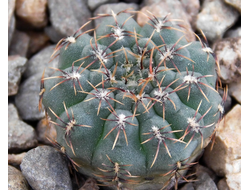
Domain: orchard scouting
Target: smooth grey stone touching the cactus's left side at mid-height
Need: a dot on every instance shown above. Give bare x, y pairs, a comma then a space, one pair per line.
27, 98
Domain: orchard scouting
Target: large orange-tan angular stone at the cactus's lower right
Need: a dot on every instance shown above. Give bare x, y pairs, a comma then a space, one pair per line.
227, 145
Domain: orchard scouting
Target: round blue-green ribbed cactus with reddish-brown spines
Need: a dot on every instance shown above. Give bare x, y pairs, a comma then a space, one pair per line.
133, 106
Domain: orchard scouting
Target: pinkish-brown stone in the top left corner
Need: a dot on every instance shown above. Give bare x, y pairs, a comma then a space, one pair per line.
32, 12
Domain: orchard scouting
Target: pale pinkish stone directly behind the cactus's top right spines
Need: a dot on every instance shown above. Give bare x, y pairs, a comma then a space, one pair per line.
162, 8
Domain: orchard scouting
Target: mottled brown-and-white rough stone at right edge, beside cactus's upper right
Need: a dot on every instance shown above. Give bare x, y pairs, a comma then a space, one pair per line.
228, 53
